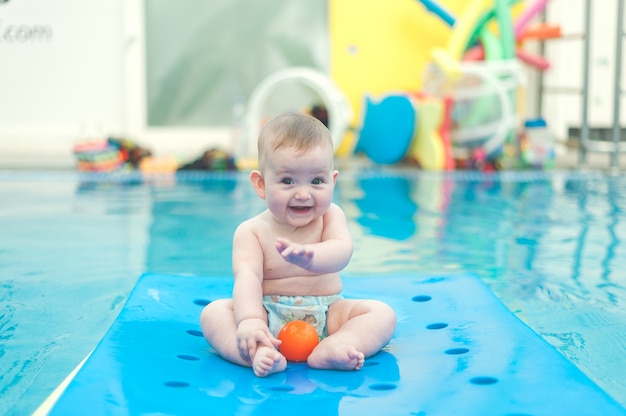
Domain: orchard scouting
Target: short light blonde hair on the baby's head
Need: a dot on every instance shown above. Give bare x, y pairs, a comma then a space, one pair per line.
300, 131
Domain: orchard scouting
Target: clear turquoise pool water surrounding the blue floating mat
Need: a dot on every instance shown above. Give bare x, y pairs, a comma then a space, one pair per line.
550, 245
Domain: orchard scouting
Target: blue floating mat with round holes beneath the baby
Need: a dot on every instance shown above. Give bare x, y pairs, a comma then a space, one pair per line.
456, 351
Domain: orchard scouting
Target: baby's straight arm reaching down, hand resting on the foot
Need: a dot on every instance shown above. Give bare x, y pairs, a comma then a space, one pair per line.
250, 315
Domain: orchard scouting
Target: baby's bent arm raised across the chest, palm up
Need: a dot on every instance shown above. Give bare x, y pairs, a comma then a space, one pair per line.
331, 255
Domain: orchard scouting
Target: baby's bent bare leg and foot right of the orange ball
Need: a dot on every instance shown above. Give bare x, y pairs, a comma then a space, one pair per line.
357, 329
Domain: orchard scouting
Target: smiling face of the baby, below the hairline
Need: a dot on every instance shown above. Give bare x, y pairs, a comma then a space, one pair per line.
299, 187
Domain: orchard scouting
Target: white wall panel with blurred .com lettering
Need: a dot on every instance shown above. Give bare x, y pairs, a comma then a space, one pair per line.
61, 77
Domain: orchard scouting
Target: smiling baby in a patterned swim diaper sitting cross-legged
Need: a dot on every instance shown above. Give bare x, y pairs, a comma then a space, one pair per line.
287, 259
